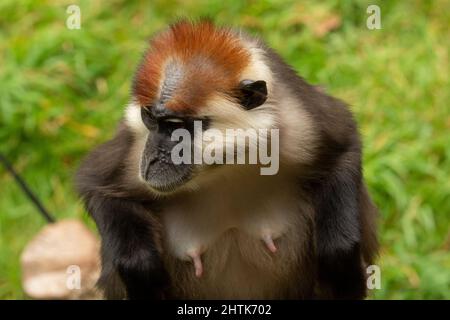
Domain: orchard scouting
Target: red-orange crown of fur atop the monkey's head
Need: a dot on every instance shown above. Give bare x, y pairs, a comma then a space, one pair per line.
212, 59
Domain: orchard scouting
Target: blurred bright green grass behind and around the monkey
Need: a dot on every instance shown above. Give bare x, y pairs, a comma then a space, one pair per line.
62, 92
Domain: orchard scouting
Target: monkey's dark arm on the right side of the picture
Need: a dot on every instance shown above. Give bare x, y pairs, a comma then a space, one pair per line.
338, 230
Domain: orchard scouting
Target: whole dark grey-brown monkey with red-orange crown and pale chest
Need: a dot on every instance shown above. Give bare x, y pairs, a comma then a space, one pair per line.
226, 231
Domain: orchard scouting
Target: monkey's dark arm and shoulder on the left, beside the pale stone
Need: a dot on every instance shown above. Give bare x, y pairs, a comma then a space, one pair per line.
130, 258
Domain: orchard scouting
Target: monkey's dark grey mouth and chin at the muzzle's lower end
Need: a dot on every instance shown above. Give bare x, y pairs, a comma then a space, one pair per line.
165, 177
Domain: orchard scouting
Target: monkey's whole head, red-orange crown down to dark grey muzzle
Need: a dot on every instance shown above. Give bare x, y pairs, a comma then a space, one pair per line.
200, 87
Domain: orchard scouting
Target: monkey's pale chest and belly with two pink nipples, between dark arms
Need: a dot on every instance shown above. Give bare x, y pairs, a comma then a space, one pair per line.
232, 251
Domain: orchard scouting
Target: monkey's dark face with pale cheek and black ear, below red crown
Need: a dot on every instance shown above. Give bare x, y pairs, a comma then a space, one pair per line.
173, 151
